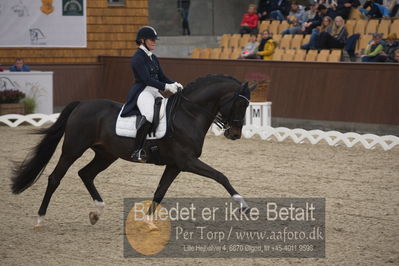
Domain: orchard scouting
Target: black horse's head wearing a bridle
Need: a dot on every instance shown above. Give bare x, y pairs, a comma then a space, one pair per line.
232, 113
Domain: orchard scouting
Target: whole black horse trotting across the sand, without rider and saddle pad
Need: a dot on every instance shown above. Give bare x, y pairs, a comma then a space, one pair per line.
91, 124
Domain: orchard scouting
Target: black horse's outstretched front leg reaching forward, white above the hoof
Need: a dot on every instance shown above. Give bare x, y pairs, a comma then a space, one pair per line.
198, 167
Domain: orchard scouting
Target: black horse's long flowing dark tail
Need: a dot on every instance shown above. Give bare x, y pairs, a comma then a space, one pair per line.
30, 170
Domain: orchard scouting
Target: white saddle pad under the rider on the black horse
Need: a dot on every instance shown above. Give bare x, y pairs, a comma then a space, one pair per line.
126, 126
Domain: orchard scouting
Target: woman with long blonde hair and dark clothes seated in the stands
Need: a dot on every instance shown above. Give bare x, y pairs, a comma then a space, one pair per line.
337, 38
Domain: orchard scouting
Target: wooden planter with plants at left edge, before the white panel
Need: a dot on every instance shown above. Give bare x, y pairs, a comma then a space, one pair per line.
10, 102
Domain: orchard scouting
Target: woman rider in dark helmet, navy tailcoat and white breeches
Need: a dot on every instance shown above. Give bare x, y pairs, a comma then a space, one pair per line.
149, 80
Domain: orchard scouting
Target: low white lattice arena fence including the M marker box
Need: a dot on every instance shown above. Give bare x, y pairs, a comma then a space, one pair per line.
258, 122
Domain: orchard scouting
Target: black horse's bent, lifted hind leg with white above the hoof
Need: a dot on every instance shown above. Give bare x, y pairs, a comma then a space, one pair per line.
100, 162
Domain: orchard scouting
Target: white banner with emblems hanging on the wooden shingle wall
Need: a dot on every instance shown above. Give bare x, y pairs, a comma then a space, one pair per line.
43, 23
